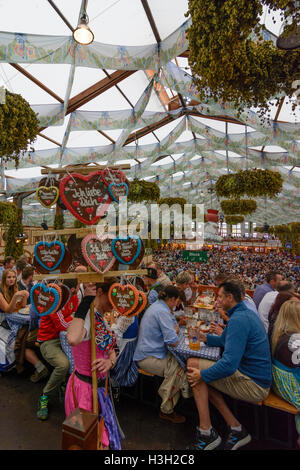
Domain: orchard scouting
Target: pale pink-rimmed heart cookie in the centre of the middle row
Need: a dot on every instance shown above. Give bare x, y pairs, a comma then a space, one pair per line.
98, 253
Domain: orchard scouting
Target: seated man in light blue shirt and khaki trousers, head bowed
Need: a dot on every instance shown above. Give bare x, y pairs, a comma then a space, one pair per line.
158, 329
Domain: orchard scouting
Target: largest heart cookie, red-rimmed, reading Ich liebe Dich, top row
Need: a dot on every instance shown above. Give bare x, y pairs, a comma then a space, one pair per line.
86, 197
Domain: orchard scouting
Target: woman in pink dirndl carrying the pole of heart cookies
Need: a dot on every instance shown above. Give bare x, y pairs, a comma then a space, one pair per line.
79, 391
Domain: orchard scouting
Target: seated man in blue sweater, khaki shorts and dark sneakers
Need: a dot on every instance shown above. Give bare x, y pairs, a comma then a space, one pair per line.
244, 371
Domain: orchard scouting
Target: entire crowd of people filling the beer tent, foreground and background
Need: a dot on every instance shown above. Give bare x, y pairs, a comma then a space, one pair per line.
259, 340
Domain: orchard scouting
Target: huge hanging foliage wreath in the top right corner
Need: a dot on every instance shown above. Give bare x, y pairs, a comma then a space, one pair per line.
230, 60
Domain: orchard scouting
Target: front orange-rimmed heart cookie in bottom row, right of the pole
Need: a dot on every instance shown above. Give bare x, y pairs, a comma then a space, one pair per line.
124, 298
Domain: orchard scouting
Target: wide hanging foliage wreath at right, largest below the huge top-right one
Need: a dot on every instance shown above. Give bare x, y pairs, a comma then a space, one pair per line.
253, 183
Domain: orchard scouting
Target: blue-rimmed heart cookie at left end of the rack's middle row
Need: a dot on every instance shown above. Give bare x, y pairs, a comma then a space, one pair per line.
49, 255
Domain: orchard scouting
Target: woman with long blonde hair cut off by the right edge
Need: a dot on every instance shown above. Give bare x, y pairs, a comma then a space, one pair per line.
285, 347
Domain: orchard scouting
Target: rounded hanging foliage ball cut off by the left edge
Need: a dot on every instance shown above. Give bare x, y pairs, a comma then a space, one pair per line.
19, 126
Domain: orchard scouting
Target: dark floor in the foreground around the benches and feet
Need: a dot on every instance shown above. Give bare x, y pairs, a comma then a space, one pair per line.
20, 429
